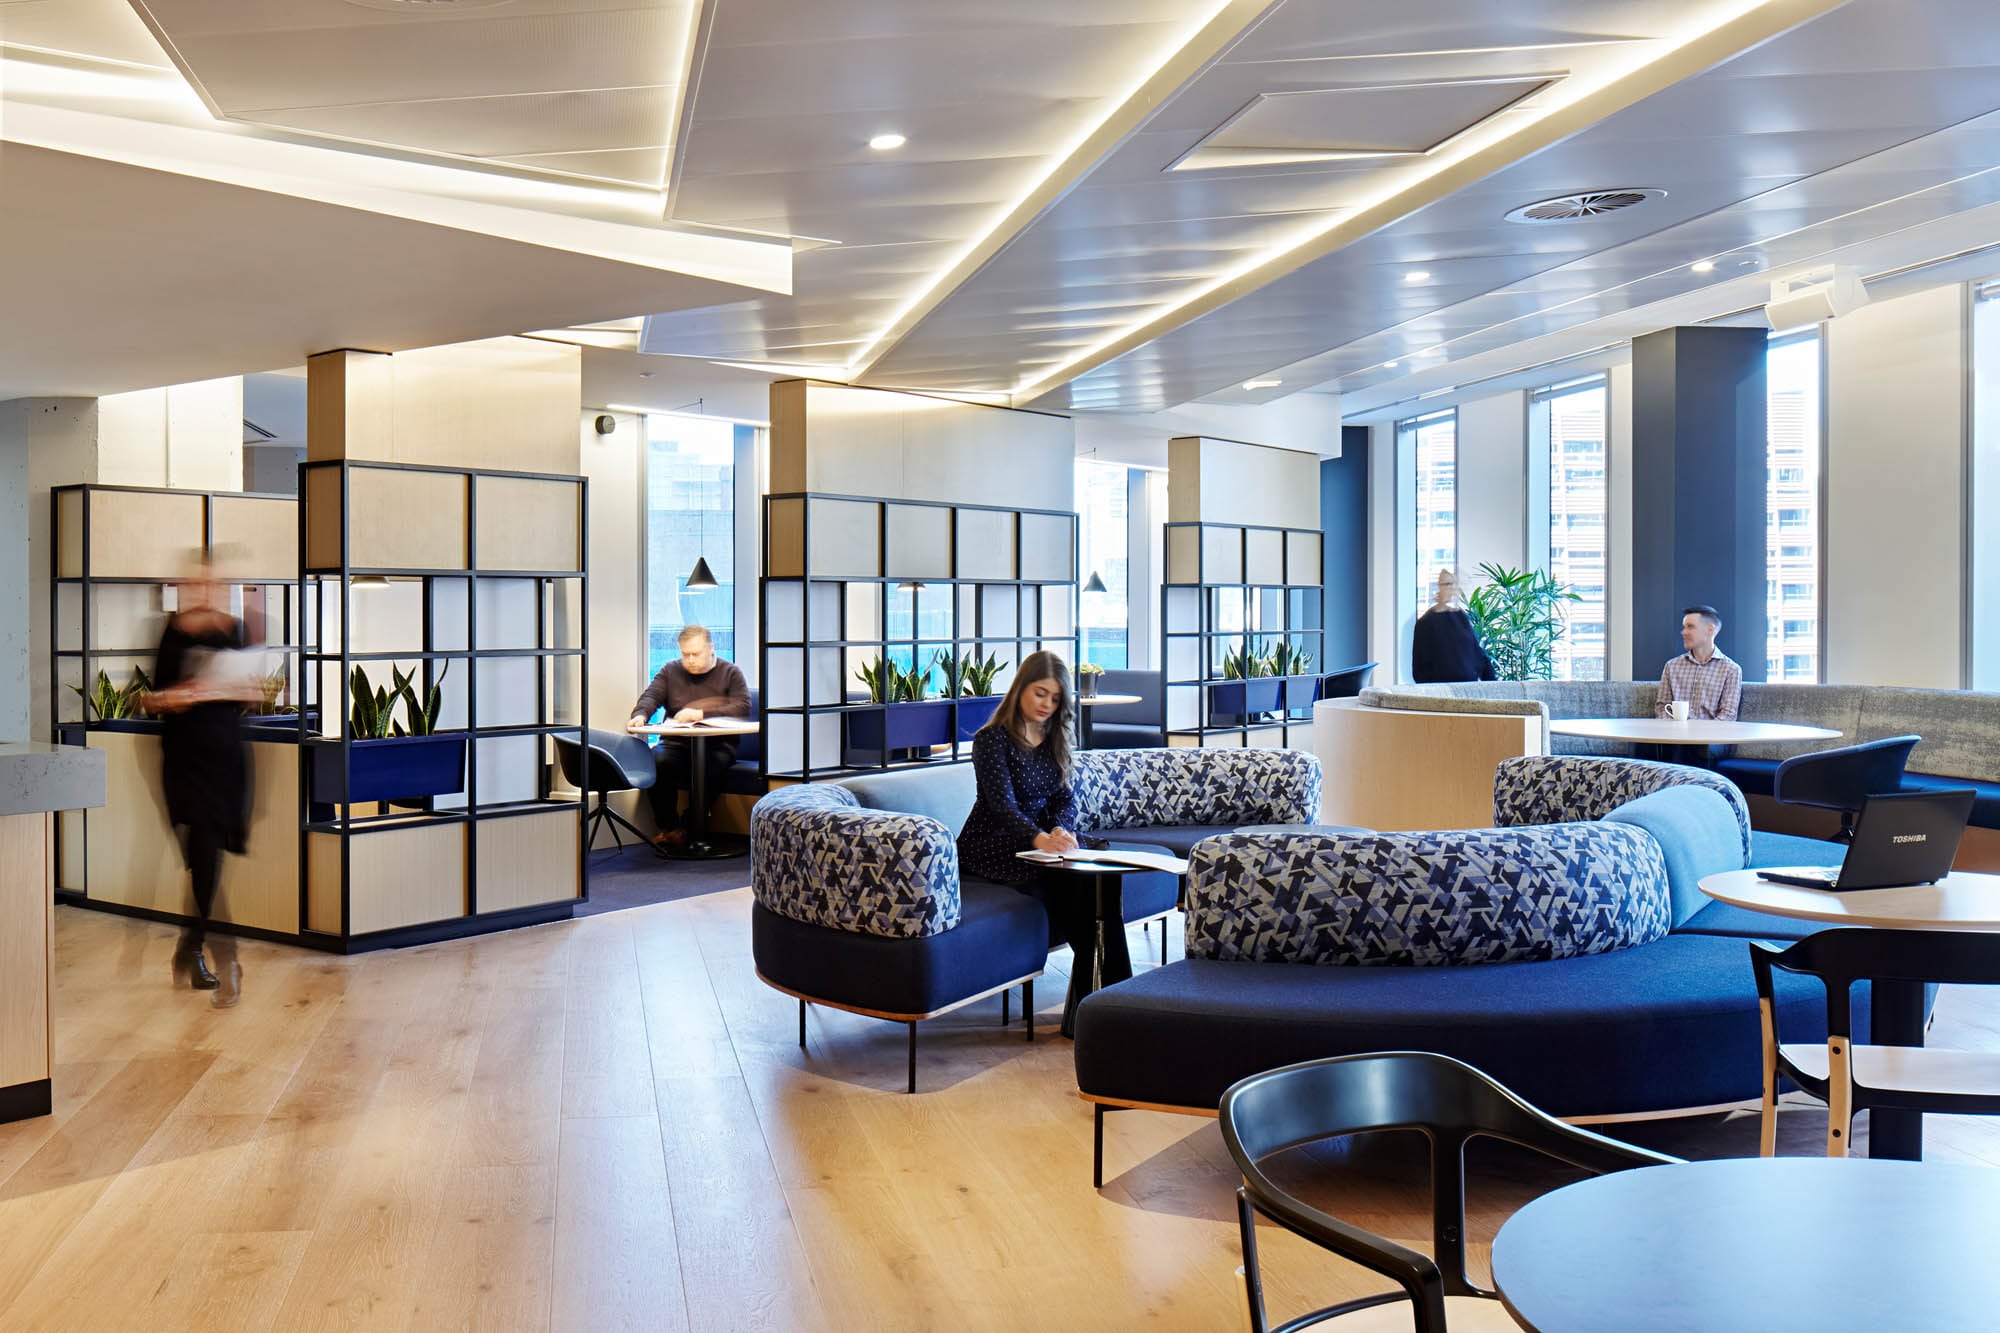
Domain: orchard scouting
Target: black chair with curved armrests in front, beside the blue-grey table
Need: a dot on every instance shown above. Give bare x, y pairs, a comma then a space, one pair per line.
1451, 1104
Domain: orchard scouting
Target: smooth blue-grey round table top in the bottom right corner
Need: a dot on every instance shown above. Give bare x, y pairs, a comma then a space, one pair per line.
1753, 1244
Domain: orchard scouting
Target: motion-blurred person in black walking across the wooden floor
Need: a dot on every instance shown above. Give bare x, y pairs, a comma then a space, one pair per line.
205, 766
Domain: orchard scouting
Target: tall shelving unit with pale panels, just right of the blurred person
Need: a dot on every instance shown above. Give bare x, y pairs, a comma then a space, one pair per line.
473, 581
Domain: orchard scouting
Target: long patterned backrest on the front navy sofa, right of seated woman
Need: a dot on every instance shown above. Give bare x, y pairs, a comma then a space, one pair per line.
1427, 900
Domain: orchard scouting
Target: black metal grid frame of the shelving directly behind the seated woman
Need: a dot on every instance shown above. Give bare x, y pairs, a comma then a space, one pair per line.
883, 643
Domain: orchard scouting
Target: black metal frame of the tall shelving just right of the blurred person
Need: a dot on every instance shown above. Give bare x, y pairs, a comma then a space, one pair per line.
341, 581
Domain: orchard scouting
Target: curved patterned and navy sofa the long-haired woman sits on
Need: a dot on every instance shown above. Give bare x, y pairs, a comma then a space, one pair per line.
861, 904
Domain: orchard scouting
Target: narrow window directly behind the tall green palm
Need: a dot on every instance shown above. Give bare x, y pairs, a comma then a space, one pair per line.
1573, 419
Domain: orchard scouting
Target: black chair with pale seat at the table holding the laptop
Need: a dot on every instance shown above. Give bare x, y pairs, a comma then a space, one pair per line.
1855, 1078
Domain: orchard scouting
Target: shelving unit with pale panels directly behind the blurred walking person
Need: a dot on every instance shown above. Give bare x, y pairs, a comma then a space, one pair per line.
117, 551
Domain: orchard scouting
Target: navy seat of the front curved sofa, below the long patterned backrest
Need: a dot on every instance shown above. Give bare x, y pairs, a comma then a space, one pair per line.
1661, 1028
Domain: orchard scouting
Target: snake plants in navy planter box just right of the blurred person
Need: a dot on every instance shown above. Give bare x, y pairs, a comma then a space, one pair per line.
393, 760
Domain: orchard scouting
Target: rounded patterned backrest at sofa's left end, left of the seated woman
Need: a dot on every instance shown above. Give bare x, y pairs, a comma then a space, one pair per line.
821, 858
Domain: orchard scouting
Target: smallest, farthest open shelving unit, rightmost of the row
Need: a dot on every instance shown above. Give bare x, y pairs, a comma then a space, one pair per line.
1239, 591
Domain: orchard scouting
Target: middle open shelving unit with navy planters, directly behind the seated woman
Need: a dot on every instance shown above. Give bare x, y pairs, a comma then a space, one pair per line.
857, 579
